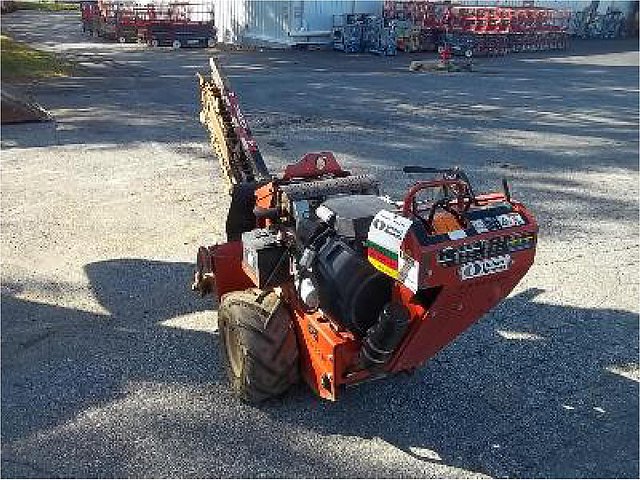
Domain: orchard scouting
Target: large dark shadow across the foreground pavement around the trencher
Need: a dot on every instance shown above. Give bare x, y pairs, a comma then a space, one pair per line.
533, 390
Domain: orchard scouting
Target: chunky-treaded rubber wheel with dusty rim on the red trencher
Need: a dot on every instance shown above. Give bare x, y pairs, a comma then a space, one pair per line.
258, 343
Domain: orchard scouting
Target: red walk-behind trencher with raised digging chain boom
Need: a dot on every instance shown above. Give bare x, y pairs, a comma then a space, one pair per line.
323, 278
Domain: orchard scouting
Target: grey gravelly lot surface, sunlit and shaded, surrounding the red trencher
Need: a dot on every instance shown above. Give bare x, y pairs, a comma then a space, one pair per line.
110, 365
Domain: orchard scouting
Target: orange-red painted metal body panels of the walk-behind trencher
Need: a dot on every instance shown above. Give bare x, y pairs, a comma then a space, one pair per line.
443, 307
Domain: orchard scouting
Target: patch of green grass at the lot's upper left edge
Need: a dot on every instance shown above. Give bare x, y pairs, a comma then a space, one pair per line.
19, 60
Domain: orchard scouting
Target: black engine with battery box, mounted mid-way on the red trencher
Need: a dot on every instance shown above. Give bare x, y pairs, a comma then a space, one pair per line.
331, 270
